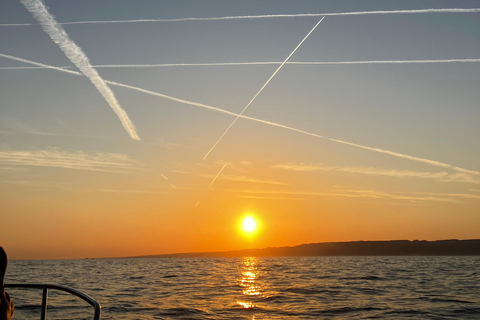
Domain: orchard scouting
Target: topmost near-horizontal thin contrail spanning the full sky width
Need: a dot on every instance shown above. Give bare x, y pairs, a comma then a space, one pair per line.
300, 15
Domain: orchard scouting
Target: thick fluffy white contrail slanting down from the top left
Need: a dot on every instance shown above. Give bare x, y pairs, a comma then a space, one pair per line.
75, 54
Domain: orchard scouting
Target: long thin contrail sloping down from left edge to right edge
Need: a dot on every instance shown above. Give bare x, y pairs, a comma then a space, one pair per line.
274, 124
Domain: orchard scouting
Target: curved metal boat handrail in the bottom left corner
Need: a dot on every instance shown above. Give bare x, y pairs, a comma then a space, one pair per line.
45, 288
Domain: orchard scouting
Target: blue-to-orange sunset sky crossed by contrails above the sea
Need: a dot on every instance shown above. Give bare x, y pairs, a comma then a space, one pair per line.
114, 117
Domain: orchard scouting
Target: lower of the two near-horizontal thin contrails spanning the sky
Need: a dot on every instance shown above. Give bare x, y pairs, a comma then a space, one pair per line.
214, 64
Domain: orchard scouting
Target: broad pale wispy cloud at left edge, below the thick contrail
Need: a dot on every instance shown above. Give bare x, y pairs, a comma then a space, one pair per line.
79, 160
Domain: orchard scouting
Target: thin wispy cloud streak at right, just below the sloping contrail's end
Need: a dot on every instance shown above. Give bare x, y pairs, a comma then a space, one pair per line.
372, 171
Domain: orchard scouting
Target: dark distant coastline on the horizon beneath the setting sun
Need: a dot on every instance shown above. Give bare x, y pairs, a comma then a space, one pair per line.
354, 248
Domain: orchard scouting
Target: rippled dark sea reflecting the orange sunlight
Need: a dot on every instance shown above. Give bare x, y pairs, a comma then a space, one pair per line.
255, 288
